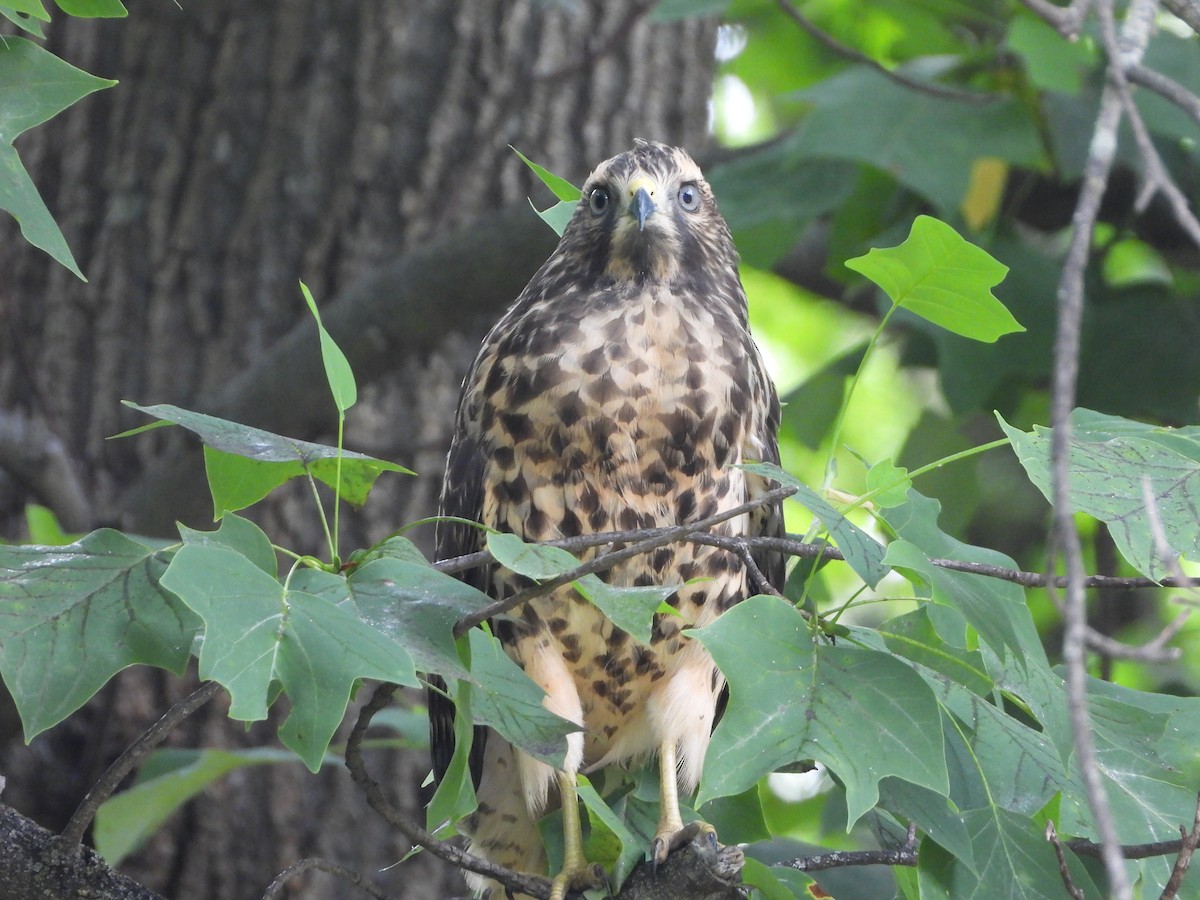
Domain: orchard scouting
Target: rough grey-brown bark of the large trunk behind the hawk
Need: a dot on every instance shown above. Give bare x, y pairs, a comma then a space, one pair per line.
359, 147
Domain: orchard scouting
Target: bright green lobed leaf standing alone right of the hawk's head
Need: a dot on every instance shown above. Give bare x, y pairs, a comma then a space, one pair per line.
944, 279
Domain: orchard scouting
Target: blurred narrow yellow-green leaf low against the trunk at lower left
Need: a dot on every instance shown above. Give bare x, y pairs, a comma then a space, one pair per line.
166, 782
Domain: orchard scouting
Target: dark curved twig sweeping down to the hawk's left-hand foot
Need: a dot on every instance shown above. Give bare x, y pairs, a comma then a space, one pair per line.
531, 885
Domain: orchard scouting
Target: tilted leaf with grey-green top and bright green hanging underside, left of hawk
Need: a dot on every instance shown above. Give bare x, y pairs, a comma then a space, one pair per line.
267, 460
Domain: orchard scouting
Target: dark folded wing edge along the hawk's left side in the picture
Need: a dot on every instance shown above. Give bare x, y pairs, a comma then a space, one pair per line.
463, 496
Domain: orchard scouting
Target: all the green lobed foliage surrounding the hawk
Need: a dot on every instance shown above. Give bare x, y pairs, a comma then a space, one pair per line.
911, 657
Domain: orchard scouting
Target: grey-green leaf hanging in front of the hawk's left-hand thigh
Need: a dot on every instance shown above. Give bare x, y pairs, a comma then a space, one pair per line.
508, 701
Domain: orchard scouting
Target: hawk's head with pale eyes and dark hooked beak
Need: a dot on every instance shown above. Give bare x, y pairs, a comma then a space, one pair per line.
649, 217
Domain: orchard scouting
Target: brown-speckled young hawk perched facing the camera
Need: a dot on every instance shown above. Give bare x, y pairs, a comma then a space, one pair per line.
620, 392
